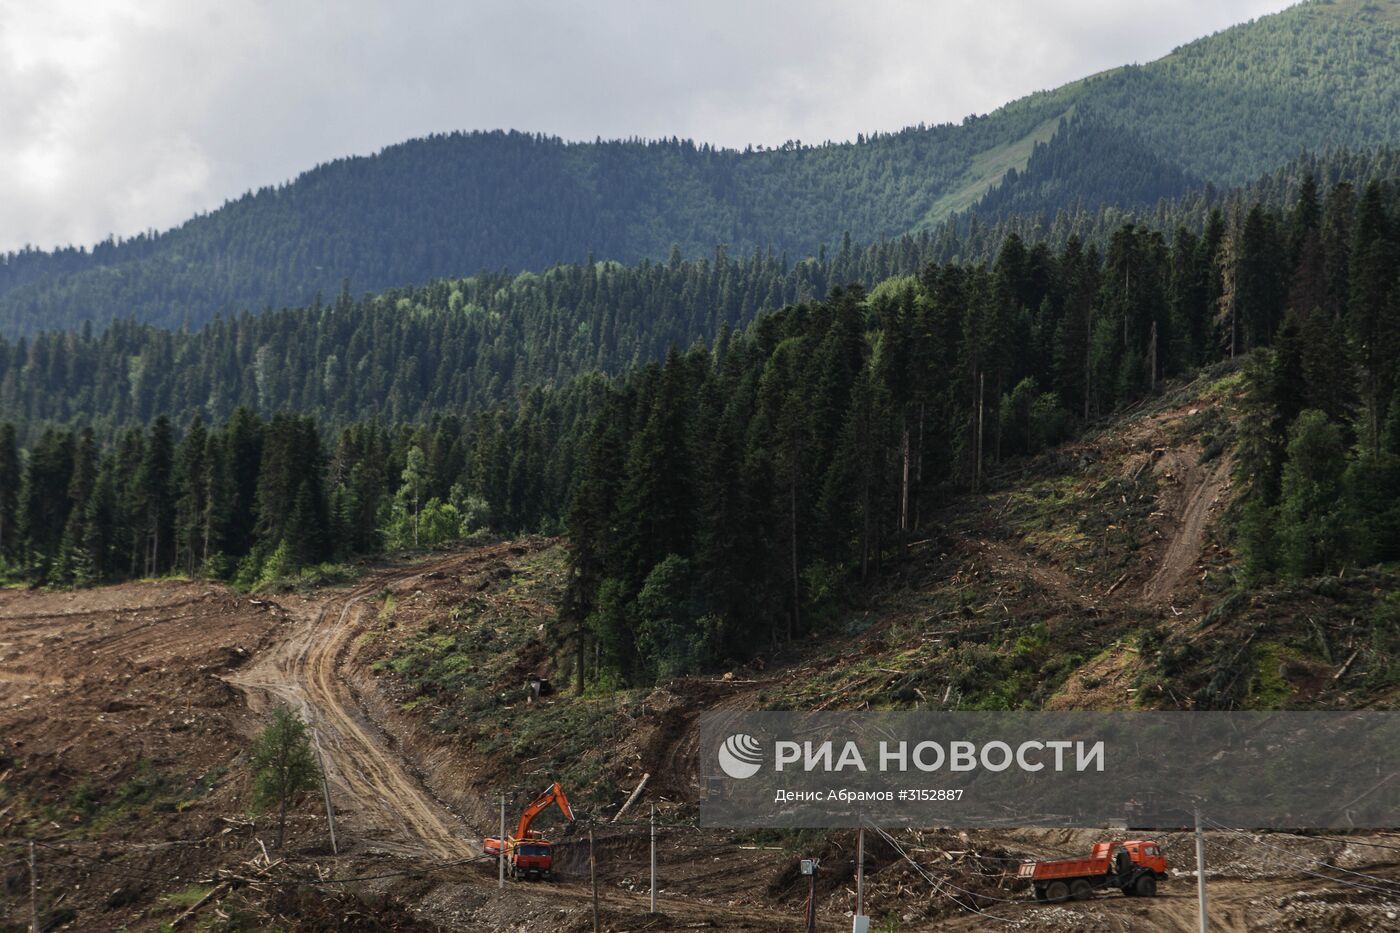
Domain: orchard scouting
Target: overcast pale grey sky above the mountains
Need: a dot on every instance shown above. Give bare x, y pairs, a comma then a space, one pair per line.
125, 116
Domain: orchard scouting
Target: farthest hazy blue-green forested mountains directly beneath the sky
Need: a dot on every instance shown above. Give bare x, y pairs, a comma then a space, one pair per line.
1221, 110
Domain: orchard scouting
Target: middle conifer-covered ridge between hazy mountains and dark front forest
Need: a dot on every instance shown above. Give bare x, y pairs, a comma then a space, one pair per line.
461, 345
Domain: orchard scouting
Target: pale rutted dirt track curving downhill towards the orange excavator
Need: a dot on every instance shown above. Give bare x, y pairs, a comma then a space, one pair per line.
367, 777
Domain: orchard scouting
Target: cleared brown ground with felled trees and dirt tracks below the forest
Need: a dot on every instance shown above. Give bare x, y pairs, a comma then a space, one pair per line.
128, 714
